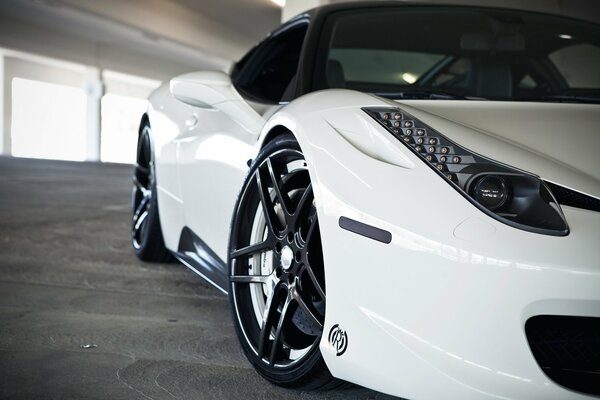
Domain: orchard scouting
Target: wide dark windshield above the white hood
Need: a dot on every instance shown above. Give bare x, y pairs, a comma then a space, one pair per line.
445, 52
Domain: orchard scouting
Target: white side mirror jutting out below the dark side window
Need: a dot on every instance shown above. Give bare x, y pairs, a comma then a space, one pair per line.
214, 90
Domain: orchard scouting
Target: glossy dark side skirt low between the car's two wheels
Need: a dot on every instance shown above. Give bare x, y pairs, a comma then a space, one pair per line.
199, 257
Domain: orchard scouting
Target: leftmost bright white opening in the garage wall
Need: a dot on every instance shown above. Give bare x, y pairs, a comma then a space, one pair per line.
48, 120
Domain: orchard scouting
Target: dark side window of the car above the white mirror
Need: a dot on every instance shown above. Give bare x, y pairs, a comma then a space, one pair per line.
272, 66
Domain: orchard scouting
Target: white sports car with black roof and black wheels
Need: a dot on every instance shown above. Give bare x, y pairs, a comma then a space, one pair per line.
406, 197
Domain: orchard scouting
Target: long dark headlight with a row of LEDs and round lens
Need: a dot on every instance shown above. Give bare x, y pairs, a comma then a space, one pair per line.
514, 197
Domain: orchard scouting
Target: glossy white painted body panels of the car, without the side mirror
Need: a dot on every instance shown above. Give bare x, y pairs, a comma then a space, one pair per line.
440, 311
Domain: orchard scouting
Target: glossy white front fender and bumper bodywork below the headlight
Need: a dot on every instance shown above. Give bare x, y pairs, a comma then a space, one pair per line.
440, 310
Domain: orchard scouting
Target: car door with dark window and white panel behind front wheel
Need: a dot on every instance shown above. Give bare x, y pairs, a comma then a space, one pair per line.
214, 151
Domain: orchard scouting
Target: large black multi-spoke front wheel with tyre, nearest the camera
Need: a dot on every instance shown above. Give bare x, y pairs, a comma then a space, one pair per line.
277, 286
